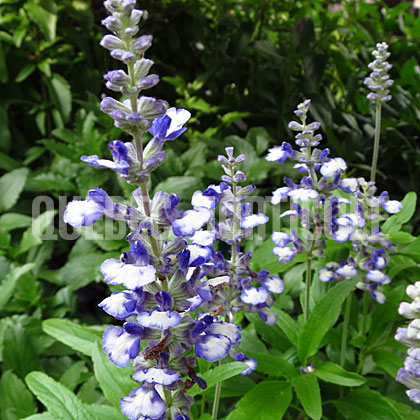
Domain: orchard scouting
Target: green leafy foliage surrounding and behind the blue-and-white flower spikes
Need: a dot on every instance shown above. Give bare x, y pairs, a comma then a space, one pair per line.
240, 68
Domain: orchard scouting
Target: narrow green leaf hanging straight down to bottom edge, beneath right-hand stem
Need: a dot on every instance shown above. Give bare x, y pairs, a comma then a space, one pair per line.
309, 394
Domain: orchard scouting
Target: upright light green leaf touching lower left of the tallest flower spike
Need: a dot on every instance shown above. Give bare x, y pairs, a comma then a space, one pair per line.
114, 381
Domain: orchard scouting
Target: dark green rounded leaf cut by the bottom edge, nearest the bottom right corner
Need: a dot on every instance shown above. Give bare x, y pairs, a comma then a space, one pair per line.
367, 405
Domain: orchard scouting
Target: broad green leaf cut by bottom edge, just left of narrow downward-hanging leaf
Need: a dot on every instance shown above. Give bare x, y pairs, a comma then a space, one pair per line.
262, 401
